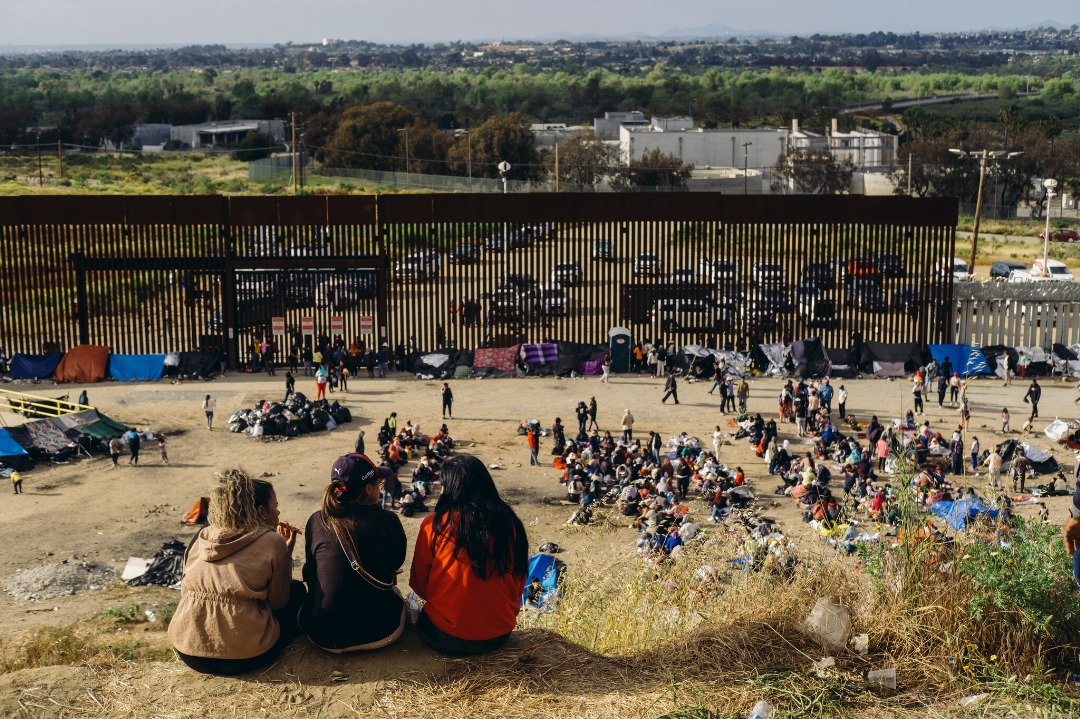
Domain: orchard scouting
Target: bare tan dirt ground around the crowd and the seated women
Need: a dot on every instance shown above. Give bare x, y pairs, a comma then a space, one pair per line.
90, 511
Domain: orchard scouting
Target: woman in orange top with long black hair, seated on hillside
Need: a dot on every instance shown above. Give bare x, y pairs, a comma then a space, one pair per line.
470, 564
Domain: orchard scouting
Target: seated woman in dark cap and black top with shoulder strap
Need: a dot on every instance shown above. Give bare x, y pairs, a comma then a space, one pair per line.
354, 549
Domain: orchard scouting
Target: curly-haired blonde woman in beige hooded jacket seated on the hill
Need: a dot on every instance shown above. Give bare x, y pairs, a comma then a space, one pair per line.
238, 600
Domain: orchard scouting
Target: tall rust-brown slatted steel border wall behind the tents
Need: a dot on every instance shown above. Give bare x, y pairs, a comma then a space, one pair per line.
167, 274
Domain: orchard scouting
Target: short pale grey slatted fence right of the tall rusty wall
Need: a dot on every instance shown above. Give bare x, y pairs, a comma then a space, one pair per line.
1018, 315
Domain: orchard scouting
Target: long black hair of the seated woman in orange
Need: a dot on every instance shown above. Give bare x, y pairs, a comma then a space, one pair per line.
480, 523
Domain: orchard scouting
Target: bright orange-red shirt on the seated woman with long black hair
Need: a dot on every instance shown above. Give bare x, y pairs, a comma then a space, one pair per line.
460, 603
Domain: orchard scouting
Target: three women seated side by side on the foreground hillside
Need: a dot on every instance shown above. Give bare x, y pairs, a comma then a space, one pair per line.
240, 606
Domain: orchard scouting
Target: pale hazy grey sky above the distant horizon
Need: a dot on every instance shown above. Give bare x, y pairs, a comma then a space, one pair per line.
245, 22
